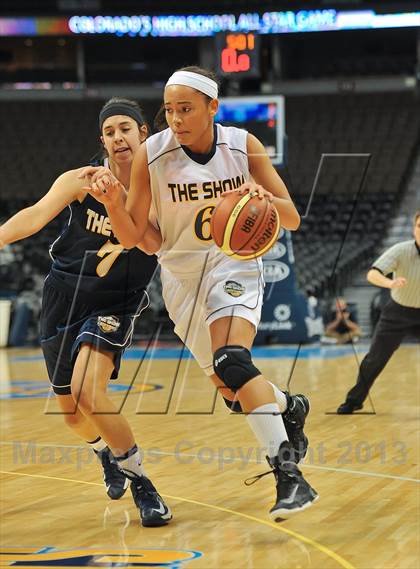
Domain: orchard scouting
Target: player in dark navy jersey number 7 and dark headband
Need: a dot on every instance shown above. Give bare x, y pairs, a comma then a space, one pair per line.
92, 296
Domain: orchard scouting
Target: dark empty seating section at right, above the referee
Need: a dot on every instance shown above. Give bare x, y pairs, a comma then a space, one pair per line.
369, 142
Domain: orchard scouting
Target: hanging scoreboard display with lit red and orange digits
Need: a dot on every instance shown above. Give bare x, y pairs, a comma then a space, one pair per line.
238, 54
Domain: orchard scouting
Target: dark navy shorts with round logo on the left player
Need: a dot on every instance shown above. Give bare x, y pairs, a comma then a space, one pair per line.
65, 325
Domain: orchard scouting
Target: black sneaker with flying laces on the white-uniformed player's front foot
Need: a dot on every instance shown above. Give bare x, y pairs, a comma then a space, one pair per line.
293, 492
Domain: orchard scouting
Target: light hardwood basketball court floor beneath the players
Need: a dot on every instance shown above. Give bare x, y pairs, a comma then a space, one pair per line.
365, 469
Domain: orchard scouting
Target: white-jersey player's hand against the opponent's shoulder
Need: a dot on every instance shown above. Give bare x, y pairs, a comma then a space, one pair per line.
103, 185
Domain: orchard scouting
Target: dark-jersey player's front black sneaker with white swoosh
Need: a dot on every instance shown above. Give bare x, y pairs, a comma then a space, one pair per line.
153, 510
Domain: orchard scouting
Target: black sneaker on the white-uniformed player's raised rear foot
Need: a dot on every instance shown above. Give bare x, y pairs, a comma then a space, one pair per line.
294, 421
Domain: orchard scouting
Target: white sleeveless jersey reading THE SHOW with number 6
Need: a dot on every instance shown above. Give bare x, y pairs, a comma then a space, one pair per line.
185, 192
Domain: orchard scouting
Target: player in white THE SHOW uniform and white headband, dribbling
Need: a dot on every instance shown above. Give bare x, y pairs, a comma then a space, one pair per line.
214, 301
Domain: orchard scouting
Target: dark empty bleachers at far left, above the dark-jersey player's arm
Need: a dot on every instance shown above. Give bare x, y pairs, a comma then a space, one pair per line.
42, 139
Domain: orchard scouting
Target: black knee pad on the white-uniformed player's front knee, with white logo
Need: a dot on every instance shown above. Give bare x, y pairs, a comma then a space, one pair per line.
233, 365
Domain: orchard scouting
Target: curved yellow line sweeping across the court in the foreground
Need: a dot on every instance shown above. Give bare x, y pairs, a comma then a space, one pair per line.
316, 545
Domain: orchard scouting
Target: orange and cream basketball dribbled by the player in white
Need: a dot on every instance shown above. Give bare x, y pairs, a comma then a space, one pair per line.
244, 227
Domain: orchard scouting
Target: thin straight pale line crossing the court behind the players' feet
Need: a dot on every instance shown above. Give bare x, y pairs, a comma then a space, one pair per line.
253, 461
